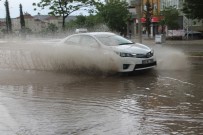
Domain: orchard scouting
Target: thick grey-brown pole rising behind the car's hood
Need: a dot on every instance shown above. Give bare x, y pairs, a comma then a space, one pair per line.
138, 9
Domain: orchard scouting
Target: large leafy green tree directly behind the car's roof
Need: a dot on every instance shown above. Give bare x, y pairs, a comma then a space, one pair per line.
115, 15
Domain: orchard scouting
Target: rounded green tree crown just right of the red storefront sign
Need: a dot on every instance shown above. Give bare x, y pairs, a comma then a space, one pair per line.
170, 17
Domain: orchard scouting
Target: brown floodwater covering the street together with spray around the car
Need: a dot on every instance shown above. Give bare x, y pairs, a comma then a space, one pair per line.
41, 95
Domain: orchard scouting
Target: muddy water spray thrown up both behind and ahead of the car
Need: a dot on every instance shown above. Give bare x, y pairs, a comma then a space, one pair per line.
46, 55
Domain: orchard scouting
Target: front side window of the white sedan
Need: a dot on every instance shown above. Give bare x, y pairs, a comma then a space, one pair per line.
88, 41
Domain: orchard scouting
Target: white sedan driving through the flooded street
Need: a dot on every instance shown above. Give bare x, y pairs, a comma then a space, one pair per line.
132, 56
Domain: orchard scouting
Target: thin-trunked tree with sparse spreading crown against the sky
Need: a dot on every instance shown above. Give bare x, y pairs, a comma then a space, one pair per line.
63, 7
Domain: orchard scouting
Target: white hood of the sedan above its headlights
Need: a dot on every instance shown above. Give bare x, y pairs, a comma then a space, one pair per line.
132, 48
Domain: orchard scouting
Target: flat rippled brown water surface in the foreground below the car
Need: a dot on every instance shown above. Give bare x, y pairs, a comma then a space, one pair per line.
156, 102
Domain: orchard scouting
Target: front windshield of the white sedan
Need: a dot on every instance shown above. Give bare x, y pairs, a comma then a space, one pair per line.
113, 40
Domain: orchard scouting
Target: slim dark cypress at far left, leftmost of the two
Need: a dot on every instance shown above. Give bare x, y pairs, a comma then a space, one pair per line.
8, 18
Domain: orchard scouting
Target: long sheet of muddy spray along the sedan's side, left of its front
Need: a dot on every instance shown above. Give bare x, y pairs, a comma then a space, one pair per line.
38, 55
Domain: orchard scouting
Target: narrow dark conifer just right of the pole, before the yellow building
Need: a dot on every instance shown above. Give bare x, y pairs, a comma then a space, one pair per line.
148, 15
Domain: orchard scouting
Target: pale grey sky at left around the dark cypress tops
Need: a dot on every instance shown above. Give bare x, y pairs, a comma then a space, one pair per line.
14, 8
